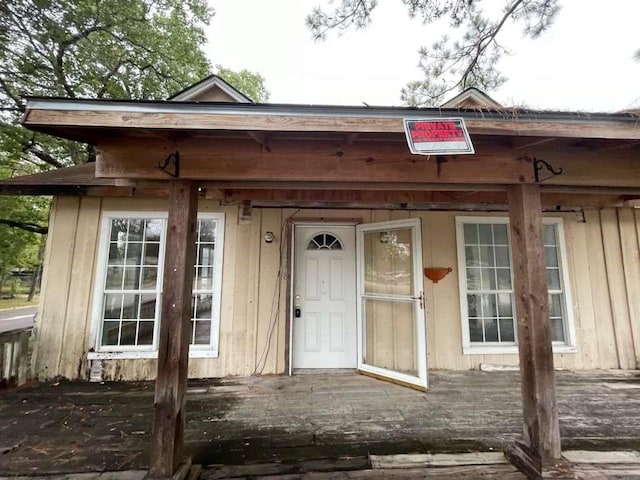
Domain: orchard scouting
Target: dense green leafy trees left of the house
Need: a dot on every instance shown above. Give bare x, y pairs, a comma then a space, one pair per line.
139, 49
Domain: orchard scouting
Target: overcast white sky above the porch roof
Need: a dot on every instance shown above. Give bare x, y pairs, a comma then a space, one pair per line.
583, 63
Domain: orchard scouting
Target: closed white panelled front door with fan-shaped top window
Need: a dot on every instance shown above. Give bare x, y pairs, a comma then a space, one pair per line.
324, 297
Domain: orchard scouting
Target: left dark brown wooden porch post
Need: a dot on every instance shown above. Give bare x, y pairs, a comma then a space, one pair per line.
175, 326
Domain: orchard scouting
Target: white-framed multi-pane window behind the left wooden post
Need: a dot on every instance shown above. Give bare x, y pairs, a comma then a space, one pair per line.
129, 284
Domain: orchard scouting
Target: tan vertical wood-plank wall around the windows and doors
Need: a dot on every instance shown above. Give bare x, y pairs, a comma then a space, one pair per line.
603, 251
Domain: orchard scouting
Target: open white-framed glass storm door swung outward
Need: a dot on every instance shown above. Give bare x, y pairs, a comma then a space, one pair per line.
391, 320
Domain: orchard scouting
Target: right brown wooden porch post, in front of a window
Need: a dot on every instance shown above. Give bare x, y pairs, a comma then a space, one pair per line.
541, 427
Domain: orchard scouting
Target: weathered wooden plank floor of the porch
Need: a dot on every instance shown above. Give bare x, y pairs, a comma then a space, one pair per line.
83, 427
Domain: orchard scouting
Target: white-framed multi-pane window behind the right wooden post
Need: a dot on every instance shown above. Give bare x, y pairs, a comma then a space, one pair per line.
486, 285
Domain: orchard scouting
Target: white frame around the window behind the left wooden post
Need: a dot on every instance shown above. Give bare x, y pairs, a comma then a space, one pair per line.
99, 352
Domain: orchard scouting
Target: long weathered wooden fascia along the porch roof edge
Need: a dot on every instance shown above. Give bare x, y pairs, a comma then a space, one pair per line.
88, 120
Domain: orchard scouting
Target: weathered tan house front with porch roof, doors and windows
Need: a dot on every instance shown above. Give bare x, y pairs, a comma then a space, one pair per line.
315, 227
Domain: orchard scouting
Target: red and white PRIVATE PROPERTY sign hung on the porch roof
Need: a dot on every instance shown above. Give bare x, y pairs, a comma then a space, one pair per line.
444, 136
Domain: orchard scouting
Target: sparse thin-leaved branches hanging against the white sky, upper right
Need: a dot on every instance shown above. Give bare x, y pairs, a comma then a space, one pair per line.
452, 63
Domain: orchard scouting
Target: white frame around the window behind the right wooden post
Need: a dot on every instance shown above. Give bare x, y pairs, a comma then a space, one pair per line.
469, 348
